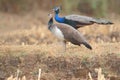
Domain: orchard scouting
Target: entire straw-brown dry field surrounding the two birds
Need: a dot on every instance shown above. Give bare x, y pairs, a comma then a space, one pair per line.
26, 44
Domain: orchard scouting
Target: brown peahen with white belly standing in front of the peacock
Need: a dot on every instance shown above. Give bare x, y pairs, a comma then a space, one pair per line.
66, 33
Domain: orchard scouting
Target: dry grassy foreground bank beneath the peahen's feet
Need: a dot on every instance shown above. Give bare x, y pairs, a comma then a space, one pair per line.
73, 64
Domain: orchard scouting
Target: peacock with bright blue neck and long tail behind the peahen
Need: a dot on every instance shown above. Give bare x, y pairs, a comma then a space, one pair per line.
77, 21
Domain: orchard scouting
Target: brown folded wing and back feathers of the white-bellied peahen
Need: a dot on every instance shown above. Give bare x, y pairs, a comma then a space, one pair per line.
72, 35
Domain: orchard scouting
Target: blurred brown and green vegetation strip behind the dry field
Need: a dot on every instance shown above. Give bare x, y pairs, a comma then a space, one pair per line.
89, 7
